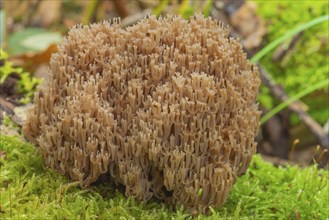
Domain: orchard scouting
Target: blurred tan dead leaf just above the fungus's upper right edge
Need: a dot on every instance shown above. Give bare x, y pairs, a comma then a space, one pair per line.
249, 25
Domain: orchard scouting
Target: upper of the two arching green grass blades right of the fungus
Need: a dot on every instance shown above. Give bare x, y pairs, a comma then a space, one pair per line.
288, 35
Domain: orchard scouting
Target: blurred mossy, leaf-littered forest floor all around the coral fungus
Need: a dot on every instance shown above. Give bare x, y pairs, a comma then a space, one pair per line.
288, 178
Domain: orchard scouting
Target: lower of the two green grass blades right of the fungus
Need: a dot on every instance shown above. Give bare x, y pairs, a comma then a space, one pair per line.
299, 95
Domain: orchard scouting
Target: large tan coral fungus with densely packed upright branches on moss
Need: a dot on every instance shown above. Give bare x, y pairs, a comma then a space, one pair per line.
165, 107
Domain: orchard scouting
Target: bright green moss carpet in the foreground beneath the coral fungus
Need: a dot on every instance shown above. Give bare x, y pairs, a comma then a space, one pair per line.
31, 191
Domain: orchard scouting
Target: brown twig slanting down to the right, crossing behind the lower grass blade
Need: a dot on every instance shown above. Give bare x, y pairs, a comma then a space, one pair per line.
296, 107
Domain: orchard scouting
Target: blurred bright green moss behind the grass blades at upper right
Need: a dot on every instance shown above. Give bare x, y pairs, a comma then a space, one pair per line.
307, 64
